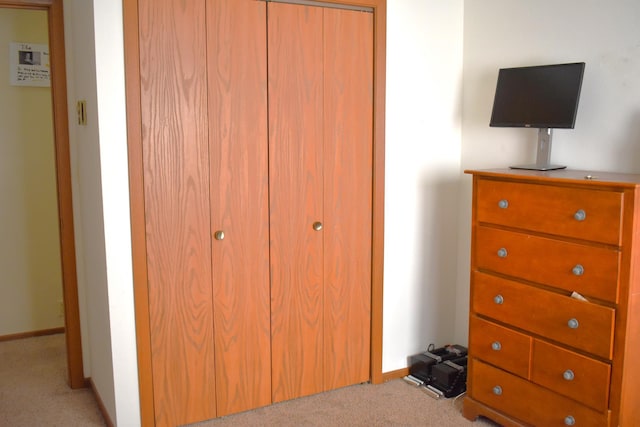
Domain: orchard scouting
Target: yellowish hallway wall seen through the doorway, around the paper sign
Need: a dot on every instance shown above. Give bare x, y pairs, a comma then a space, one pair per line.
31, 274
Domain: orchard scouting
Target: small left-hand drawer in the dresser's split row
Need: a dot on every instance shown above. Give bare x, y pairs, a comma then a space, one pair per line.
500, 346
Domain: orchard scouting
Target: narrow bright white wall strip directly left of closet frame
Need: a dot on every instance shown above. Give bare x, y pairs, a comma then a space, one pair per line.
112, 126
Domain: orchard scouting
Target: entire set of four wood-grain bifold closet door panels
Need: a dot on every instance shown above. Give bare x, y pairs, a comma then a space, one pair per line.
257, 123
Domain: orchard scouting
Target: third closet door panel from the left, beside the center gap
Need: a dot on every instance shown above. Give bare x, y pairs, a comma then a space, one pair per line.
295, 174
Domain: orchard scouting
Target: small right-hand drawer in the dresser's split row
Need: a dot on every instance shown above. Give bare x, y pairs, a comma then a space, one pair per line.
570, 374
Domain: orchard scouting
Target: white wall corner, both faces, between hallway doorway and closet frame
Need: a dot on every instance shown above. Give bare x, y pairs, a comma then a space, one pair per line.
95, 68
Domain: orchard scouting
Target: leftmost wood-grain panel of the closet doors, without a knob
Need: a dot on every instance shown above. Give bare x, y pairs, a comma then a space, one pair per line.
173, 78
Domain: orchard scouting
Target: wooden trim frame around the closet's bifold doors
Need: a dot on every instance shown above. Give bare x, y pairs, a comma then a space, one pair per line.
136, 188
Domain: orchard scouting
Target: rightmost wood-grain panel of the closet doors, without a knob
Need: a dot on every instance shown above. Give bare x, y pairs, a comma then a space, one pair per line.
348, 118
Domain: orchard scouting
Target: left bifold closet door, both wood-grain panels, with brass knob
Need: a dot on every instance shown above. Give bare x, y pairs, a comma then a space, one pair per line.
203, 87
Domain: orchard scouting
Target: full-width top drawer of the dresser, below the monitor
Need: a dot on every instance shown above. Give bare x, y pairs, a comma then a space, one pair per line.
565, 211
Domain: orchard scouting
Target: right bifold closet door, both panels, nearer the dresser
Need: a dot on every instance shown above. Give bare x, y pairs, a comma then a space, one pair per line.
320, 122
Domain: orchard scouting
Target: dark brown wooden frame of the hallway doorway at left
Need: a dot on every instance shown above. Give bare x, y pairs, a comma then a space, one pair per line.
55, 17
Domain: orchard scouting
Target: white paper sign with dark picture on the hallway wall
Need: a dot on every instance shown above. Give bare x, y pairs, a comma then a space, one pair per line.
29, 64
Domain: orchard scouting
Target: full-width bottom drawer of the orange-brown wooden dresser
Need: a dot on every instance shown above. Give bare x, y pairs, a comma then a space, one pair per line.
528, 402
